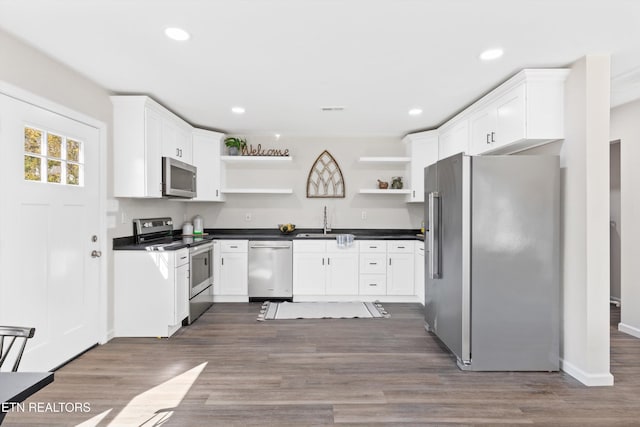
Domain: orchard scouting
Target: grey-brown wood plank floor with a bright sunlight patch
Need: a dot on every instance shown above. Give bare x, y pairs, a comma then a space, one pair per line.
319, 372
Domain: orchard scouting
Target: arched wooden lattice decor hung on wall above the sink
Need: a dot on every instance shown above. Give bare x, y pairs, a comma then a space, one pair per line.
325, 178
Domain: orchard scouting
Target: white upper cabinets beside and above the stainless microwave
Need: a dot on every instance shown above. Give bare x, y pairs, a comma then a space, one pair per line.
144, 132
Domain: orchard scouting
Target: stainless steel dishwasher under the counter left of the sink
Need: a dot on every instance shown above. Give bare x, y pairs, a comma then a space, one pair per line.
270, 269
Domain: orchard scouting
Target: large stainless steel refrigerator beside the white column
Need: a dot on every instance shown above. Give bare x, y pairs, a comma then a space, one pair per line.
492, 267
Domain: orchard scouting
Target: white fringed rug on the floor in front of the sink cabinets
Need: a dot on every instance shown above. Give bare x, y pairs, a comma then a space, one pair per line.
321, 310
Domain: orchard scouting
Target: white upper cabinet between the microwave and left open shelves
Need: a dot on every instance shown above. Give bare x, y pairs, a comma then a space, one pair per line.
206, 157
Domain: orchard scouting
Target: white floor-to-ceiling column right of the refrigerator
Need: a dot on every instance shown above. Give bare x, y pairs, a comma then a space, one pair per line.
585, 223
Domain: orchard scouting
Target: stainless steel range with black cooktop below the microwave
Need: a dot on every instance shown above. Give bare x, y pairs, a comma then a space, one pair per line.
157, 234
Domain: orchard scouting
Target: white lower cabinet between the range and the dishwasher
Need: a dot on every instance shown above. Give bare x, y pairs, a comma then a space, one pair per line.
231, 270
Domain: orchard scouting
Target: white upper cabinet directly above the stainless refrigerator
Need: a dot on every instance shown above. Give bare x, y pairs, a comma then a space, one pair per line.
525, 111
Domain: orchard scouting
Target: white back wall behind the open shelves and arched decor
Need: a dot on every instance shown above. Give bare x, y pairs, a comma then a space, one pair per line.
266, 211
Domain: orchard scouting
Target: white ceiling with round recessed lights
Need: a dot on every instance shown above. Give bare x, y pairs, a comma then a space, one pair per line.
285, 59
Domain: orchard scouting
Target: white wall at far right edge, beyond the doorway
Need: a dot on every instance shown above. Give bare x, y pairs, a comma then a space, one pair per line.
625, 126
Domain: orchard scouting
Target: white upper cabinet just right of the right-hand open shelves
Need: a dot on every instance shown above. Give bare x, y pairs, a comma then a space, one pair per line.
422, 149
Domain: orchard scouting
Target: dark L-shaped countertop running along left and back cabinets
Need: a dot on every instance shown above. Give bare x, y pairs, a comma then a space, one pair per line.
128, 243
